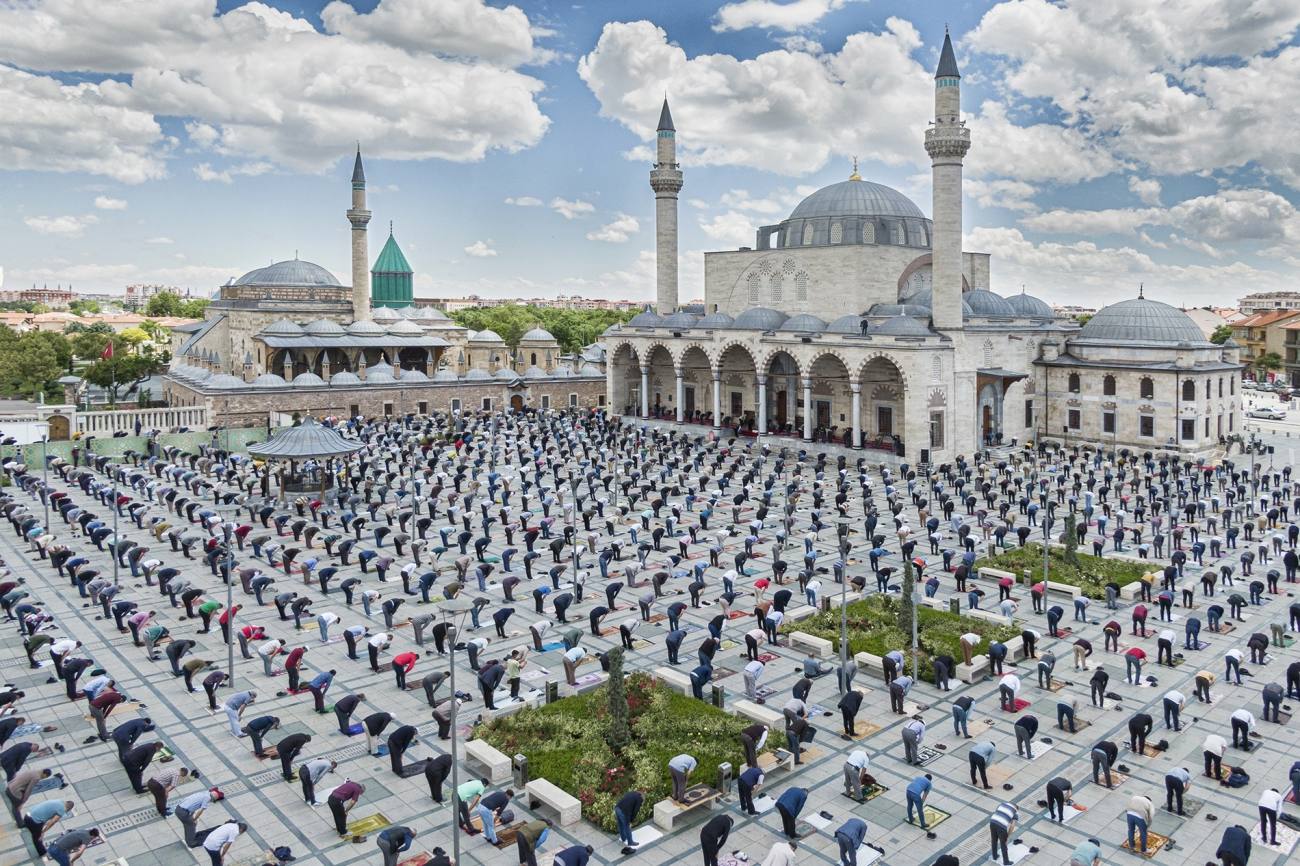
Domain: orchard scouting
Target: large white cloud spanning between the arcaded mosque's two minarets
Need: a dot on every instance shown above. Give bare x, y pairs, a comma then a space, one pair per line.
783, 111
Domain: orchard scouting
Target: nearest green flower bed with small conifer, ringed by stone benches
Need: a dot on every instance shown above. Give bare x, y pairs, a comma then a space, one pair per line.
565, 744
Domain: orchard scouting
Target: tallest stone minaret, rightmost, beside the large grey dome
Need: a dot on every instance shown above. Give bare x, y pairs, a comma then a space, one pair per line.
947, 144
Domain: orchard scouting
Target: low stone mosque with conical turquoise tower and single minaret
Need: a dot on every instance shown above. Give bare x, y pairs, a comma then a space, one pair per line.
292, 337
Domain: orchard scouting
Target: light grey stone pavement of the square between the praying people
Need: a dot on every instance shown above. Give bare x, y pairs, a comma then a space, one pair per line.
278, 815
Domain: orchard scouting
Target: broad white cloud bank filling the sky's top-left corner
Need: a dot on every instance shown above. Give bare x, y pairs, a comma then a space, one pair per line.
257, 84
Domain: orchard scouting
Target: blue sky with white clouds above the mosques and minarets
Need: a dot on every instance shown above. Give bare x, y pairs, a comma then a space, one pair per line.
192, 141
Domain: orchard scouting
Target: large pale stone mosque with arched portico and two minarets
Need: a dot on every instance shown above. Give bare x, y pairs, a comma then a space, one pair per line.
861, 322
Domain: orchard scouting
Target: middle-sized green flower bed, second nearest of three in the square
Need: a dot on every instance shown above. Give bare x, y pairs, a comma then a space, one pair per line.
874, 629
